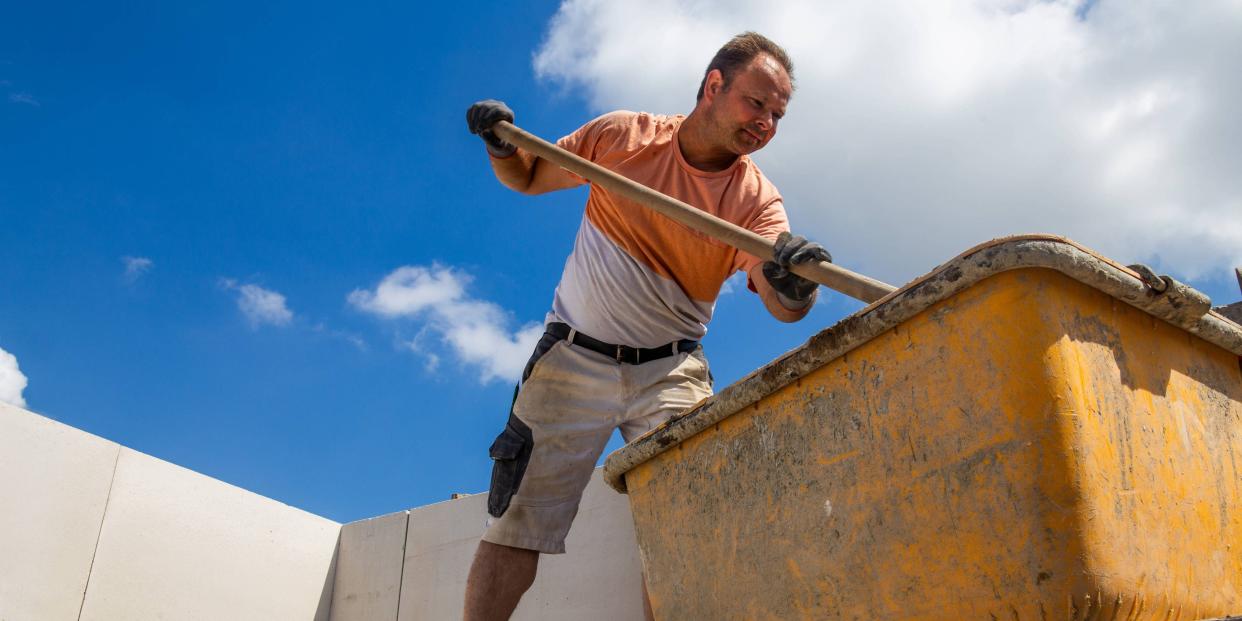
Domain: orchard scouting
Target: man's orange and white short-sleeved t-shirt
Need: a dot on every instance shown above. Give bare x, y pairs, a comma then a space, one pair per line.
637, 278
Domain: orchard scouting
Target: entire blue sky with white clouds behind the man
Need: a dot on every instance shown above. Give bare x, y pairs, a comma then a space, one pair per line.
199, 203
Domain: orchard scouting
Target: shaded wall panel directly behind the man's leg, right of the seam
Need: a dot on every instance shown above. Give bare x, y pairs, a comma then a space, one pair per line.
598, 579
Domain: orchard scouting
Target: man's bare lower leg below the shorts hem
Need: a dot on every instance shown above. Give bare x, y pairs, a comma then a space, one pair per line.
497, 579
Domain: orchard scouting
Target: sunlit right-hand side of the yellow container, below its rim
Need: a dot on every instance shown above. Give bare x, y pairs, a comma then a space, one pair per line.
1153, 417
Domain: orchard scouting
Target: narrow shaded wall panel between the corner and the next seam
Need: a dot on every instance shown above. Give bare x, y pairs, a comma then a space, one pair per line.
368, 583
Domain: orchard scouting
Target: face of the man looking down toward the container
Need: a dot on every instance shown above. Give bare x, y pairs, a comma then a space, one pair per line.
745, 116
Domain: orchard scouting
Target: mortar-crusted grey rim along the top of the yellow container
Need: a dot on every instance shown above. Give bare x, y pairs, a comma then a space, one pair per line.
950, 279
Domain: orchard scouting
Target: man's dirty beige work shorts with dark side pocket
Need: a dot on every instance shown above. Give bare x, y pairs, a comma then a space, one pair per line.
563, 415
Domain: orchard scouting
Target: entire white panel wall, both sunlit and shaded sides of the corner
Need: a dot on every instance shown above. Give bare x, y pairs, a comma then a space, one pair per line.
94, 531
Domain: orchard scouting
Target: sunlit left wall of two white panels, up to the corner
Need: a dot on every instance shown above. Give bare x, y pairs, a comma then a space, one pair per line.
94, 531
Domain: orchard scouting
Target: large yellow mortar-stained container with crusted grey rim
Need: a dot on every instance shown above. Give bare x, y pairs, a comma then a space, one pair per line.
1029, 433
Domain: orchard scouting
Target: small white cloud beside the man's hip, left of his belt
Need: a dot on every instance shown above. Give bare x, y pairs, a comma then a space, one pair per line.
475, 331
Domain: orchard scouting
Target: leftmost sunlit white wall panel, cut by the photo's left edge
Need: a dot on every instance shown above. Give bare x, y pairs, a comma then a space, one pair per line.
54, 486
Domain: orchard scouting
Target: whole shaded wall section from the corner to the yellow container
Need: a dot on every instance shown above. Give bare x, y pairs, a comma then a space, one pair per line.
413, 566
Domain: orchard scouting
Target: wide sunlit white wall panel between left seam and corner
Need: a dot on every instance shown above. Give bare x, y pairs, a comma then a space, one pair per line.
177, 545
